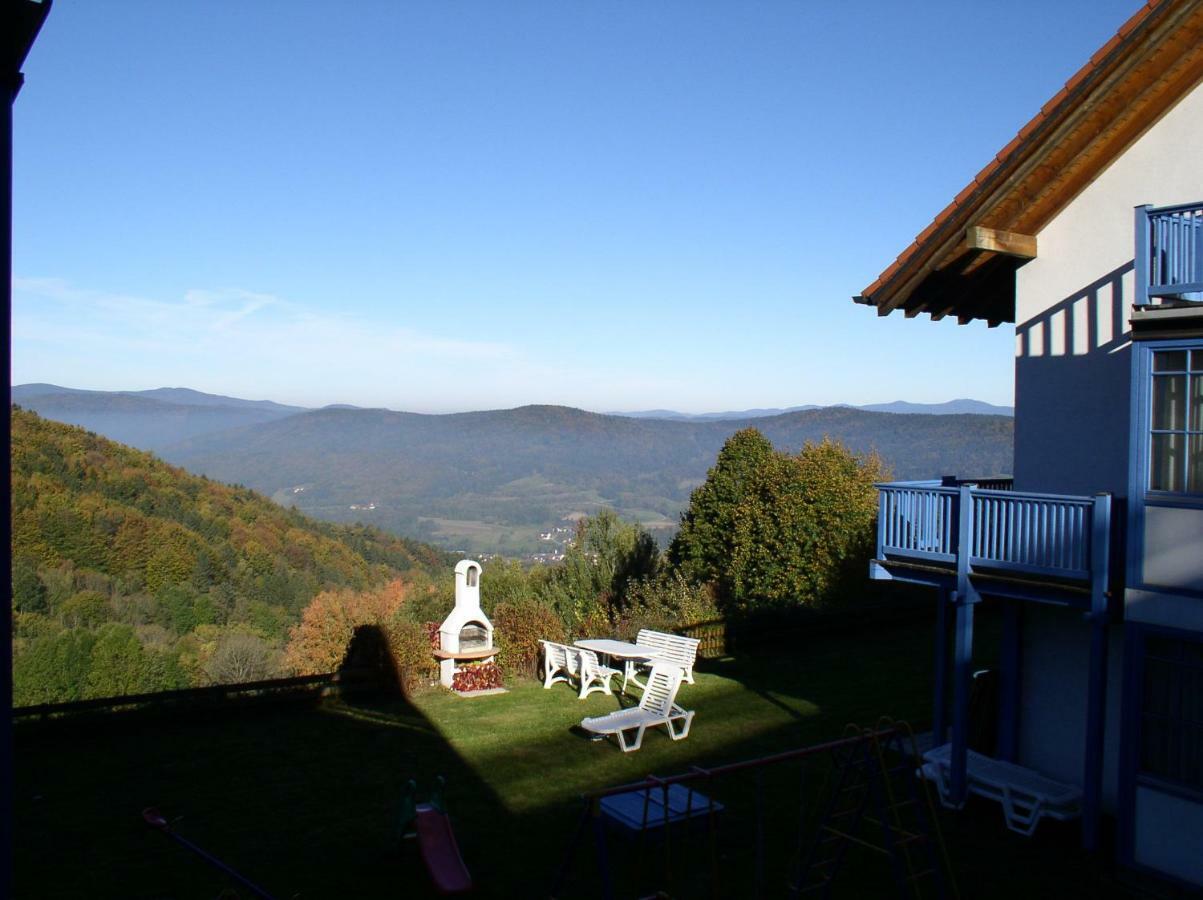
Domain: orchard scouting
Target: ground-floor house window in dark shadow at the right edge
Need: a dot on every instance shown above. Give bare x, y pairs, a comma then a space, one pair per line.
1172, 712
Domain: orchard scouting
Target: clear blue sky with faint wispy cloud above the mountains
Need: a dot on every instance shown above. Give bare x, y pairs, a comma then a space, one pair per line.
447, 206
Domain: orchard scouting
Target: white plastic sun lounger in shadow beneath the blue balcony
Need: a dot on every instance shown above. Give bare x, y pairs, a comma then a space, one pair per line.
1026, 796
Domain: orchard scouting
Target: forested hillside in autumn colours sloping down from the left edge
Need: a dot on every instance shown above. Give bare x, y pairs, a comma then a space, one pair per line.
133, 576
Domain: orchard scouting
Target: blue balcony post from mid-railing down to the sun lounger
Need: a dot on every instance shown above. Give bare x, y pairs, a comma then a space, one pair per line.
965, 599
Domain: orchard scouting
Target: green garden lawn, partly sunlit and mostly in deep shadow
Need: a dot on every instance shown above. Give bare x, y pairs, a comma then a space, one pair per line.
304, 798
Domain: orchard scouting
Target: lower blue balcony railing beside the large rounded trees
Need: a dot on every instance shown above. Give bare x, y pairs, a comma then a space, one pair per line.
1005, 531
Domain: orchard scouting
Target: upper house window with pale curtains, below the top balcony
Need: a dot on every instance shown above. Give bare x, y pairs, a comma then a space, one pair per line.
1176, 449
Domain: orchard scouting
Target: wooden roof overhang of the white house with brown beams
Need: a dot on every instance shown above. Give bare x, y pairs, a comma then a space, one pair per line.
964, 263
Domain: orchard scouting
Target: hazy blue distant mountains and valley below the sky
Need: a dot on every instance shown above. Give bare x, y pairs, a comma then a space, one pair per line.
493, 482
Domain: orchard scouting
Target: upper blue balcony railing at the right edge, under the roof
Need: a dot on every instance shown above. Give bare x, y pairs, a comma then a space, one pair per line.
1169, 253
